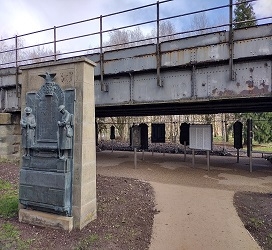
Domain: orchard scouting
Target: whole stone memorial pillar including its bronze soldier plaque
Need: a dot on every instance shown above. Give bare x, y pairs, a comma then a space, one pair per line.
58, 160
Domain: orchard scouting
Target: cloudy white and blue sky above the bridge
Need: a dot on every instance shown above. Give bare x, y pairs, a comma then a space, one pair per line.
23, 16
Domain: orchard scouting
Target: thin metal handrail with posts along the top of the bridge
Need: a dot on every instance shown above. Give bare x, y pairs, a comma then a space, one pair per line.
104, 46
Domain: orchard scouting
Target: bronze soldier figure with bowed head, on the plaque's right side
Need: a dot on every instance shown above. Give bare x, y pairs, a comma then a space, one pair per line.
65, 132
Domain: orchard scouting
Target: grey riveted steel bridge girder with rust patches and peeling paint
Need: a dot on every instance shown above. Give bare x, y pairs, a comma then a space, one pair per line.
195, 76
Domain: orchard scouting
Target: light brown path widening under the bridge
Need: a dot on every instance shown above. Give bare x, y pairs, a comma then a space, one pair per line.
196, 205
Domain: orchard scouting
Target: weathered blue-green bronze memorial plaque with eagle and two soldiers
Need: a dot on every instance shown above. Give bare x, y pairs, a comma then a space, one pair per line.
46, 174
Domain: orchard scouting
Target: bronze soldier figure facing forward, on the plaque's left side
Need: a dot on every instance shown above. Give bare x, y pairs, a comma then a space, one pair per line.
28, 125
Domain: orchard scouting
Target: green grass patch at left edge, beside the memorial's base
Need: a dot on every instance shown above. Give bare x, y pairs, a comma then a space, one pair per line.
8, 200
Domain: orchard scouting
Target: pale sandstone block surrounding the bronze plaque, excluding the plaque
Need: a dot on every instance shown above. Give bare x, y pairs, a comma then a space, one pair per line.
75, 74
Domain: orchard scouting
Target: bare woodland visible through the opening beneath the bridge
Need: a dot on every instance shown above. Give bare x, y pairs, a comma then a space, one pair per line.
223, 144
